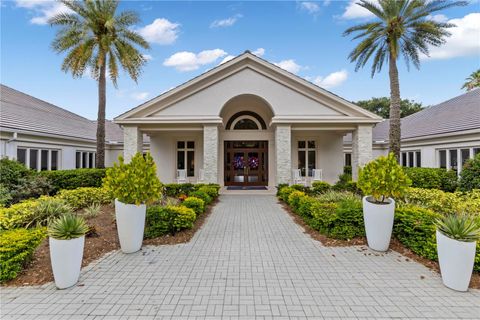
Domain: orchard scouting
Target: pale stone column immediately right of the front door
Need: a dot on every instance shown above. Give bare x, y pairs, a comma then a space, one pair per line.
283, 152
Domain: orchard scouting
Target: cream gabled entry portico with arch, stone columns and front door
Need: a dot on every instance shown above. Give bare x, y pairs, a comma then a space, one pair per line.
248, 122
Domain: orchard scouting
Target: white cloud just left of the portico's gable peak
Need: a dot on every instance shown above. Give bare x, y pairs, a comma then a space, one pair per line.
189, 61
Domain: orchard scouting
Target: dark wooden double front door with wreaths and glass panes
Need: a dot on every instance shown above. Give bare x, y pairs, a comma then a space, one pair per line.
246, 163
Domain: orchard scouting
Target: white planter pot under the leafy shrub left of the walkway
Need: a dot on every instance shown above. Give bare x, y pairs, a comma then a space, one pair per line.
130, 225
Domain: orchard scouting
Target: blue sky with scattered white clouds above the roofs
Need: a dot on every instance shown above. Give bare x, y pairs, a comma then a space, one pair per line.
190, 37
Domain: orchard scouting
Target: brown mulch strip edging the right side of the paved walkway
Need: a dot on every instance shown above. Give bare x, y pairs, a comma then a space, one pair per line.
395, 245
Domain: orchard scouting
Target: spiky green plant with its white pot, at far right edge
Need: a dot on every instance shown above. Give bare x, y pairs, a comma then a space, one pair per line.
457, 237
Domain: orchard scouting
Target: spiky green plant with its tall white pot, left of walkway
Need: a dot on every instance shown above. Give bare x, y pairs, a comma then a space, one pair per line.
66, 240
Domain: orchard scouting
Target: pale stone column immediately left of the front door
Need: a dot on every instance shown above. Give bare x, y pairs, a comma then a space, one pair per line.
210, 153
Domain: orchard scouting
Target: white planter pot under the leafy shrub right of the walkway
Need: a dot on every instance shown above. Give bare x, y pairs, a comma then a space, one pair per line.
378, 220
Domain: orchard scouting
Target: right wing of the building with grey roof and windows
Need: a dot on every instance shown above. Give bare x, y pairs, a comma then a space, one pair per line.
440, 136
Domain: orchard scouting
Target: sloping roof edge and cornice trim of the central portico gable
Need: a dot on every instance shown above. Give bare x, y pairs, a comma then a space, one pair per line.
245, 60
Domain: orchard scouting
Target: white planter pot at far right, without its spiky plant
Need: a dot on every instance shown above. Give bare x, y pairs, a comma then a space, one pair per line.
456, 259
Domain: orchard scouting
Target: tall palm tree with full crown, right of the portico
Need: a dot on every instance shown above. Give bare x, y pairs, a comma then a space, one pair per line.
402, 28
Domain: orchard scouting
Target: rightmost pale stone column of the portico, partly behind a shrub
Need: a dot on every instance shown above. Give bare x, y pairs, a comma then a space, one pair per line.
361, 147
